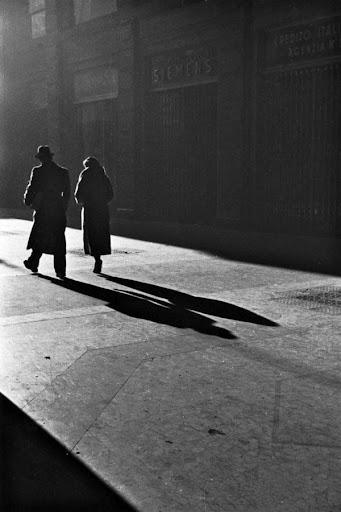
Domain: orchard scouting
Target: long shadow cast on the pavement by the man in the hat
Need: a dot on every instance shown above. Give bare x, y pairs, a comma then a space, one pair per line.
146, 307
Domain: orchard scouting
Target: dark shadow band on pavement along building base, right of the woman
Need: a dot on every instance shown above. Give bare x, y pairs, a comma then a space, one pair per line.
296, 252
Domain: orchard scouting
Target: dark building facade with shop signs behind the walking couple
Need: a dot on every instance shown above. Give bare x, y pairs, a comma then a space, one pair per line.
220, 118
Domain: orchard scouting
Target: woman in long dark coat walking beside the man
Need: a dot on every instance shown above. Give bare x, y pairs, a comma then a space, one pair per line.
94, 192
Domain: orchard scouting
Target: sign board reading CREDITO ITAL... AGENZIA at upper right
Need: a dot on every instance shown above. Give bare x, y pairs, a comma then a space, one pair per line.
299, 43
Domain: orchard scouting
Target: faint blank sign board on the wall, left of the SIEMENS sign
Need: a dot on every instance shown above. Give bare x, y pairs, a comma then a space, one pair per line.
96, 84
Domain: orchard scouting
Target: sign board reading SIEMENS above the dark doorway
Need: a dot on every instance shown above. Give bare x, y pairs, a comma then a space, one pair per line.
184, 67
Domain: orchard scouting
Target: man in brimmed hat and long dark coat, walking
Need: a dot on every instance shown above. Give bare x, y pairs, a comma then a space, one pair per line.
48, 193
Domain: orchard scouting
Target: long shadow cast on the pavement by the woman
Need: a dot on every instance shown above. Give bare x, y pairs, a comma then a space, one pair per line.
191, 302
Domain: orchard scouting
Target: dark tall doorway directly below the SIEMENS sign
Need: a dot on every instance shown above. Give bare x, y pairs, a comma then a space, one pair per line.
179, 179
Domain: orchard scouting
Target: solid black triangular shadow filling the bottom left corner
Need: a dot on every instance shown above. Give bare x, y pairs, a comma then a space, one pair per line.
38, 474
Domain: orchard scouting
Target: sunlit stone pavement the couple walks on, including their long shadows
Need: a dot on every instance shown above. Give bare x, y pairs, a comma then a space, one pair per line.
185, 381
